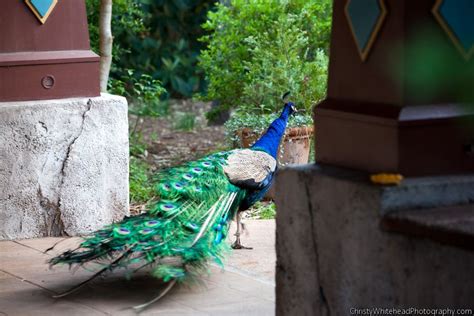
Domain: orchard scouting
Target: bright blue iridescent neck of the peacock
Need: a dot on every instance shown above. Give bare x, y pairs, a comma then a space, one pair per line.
270, 141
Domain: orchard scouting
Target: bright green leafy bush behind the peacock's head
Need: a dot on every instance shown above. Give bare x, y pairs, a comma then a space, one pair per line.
258, 51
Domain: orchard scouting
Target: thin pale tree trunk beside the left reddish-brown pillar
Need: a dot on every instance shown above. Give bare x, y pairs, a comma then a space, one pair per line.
106, 40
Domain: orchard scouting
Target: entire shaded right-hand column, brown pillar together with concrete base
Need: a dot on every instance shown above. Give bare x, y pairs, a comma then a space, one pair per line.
345, 244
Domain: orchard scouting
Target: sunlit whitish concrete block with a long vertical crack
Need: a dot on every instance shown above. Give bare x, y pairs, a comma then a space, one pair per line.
63, 166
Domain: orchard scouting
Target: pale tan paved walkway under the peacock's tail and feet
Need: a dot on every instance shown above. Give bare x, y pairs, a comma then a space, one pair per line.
245, 287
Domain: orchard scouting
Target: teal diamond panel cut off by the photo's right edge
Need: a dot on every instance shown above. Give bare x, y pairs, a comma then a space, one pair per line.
459, 16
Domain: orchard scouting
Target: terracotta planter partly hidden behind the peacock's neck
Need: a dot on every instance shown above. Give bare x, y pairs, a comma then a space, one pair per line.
294, 148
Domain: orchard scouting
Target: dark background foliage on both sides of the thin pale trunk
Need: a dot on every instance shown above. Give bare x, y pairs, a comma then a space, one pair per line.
158, 38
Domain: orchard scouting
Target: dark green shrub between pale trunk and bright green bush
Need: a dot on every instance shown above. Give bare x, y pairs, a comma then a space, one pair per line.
168, 49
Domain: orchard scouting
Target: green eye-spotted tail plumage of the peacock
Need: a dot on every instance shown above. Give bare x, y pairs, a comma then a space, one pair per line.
180, 232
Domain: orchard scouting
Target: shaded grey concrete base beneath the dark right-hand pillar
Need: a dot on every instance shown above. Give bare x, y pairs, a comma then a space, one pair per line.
332, 255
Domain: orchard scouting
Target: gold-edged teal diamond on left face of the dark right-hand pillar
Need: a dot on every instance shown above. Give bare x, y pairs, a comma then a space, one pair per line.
364, 15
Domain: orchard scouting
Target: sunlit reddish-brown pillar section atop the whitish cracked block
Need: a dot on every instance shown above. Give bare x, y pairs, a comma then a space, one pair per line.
45, 52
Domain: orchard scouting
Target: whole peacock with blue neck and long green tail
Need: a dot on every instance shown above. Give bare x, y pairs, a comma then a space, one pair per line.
184, 228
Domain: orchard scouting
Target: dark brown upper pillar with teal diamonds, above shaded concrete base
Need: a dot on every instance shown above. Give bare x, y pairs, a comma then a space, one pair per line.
375, 117
